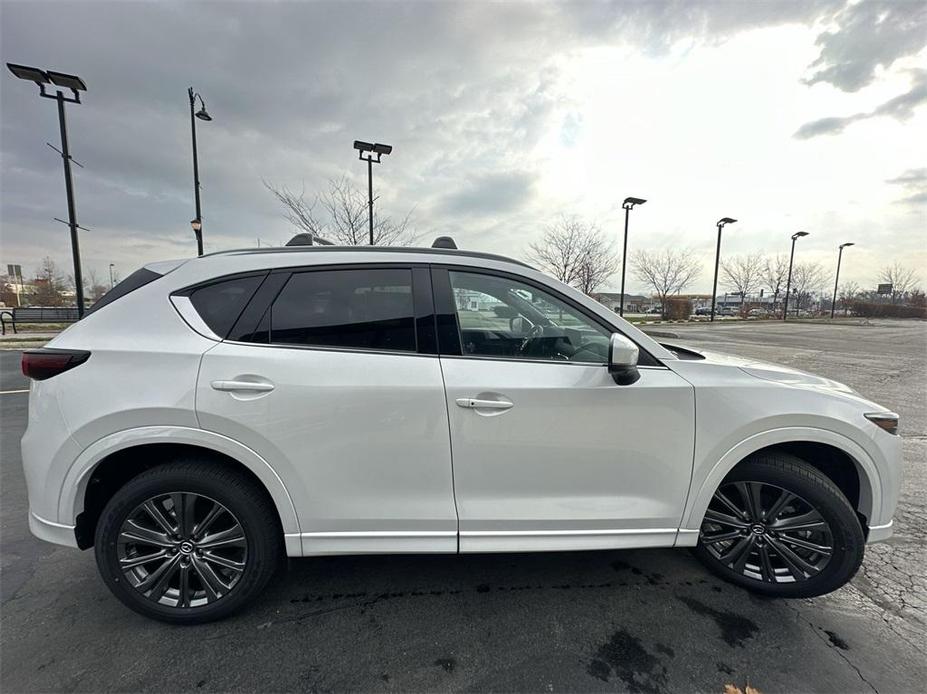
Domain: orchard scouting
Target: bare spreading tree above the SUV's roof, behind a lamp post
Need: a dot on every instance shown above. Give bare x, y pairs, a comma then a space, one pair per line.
341, 214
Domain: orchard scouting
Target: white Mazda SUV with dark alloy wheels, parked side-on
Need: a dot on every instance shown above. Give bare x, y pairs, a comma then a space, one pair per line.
210, 415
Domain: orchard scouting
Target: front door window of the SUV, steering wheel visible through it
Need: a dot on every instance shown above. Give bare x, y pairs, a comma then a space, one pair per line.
501, 317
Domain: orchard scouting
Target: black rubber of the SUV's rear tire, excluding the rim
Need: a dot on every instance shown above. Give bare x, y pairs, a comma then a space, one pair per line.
240, 499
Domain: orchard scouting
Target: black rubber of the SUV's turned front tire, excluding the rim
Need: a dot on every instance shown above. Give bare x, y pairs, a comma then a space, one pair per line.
807, 482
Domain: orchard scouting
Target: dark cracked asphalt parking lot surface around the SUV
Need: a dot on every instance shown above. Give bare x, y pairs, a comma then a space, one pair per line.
638, 621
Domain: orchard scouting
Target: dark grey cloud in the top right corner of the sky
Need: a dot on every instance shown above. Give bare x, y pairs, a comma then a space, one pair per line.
869, 35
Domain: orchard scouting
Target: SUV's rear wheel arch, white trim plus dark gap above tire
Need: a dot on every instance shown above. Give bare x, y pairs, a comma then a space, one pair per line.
107, 466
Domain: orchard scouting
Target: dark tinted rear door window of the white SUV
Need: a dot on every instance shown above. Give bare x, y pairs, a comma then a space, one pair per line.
368, 309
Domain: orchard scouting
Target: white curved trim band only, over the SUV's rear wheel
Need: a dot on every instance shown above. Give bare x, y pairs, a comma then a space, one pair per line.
74, 485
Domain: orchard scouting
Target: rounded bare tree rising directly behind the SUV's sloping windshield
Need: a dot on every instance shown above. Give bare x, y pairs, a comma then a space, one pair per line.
577, 253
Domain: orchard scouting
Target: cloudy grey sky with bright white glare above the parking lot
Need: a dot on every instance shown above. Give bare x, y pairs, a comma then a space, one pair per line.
503, 116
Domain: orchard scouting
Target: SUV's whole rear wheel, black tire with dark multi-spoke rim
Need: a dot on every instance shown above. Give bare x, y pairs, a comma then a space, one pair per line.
226, 546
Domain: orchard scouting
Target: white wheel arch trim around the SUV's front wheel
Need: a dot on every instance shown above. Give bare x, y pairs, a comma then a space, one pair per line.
870, 482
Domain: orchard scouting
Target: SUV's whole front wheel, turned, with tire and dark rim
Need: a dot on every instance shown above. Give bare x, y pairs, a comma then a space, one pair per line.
818, 516
